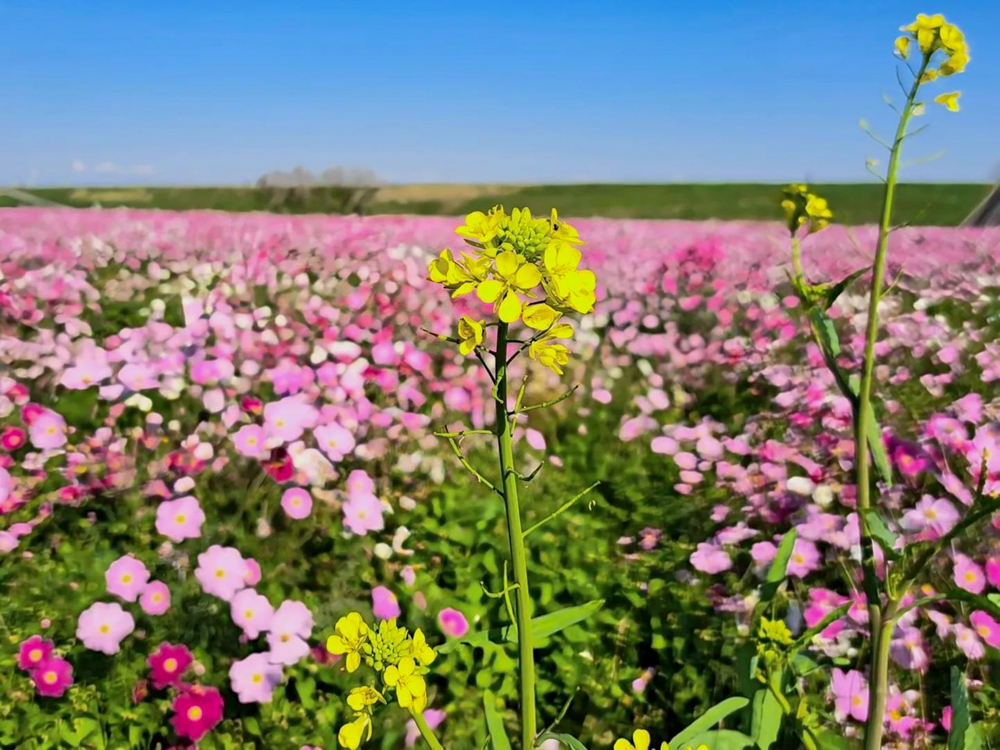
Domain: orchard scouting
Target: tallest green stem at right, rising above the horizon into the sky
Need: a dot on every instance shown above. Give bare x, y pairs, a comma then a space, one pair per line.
881, 621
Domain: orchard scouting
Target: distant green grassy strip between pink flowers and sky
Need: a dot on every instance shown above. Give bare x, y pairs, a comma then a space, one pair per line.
926, 204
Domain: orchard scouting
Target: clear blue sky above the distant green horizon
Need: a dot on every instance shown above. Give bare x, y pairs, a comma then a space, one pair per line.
219, 92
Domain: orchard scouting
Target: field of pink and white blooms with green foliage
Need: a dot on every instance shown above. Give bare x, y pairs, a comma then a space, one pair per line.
216, 440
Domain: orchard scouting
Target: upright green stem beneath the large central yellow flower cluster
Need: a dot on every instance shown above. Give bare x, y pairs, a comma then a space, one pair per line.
525, 645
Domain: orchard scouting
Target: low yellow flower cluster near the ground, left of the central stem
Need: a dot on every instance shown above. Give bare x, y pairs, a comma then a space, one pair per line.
400, 659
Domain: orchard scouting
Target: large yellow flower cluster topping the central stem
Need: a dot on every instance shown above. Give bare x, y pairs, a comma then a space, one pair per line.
528, 268
